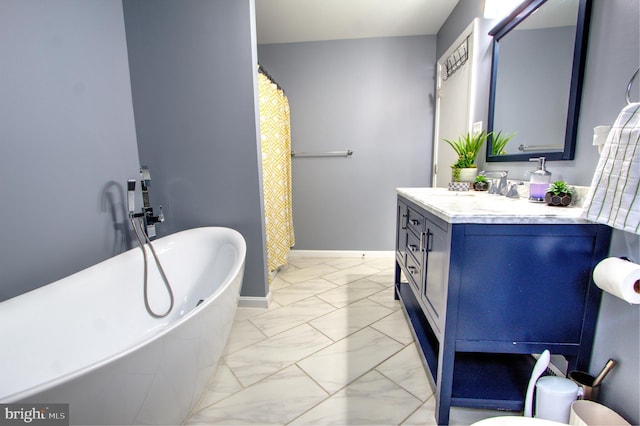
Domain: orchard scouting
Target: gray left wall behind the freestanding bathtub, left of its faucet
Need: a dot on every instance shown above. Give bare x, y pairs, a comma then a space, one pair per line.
67, 137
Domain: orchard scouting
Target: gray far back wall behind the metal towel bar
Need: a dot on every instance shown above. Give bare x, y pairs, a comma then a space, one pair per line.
373, 96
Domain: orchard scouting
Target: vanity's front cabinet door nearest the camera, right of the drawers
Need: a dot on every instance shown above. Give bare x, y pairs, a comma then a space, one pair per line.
436, 269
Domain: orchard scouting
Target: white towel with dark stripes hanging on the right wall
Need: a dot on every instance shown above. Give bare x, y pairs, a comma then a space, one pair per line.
614, 195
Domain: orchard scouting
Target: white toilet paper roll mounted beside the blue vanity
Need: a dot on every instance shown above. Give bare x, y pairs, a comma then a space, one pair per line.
619, 277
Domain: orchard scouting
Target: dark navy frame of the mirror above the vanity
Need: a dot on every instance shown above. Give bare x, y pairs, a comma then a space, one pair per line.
575, 93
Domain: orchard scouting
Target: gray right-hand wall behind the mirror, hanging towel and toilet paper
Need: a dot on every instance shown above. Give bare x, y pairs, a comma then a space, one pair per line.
613, 56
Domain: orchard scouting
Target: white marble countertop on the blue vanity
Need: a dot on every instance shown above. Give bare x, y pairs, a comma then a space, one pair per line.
481, 207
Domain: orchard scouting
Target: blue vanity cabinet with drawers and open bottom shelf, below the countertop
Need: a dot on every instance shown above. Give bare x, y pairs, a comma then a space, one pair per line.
491, 294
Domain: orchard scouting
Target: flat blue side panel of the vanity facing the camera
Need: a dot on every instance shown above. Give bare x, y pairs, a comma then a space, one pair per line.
512, 292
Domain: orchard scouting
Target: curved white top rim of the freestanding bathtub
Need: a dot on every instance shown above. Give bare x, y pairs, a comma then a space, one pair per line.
236, 272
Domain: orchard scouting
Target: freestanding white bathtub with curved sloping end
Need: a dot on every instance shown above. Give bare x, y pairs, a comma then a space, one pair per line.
87, 340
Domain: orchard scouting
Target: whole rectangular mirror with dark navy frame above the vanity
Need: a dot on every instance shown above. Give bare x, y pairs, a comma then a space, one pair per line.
537, 68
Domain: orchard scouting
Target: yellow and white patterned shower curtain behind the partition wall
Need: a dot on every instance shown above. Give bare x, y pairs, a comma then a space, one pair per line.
275, 134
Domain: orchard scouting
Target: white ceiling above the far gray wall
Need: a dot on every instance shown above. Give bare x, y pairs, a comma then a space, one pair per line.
289, 21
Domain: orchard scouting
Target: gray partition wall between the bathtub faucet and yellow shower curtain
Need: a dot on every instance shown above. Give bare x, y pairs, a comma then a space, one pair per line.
193, 76
